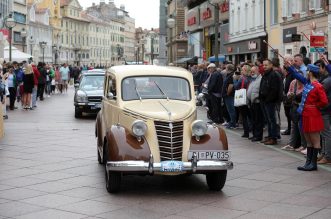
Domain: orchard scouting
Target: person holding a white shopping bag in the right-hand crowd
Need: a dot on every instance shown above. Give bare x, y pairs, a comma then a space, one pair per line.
243, 82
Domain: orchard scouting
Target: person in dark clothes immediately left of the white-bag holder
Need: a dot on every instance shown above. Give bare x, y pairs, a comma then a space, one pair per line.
228, 96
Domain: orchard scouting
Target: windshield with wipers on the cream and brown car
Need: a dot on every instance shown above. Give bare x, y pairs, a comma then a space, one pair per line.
155, 87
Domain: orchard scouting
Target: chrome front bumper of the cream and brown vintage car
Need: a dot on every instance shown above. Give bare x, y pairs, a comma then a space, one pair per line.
151, 167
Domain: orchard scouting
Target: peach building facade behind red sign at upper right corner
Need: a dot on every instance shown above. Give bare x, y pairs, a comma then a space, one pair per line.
308, 18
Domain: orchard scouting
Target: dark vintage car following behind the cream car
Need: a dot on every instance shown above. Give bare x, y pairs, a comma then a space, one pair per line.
89, 92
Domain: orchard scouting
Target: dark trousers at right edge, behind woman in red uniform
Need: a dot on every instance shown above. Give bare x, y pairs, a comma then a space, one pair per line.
326, 137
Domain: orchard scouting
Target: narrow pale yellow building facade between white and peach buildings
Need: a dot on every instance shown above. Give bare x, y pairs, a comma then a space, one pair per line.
273, 27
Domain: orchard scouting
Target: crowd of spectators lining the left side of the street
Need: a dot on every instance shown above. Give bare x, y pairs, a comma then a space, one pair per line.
22, 84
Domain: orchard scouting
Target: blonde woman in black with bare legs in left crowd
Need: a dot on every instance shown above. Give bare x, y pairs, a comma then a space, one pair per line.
28, 84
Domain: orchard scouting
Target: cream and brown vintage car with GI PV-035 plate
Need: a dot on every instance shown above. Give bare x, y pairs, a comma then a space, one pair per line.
148, 125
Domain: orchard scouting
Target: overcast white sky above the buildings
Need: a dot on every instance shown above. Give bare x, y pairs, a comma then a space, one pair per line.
145, 12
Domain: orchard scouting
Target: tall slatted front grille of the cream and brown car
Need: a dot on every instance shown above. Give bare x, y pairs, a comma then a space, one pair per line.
170, 138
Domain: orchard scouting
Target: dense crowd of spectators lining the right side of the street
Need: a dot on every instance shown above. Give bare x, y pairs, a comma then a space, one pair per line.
301, 88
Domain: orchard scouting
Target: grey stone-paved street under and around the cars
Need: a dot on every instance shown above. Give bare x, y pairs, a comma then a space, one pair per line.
49, 169
